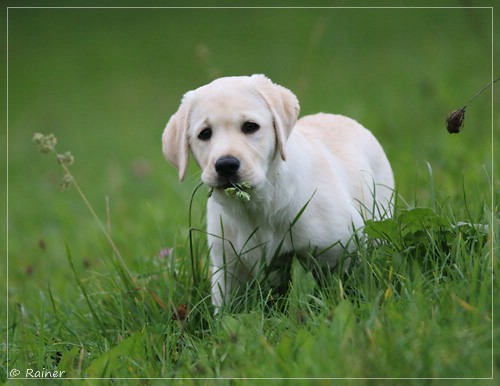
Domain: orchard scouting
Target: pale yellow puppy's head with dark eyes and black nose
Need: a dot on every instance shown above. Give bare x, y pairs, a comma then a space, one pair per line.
234, 127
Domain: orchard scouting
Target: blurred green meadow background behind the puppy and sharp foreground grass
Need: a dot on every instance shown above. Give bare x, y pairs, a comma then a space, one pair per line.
105, 82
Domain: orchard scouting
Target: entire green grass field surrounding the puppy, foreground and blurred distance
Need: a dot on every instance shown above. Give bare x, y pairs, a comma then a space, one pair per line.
419, 303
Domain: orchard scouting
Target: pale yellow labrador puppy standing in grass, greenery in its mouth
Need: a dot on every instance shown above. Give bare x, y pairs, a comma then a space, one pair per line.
265, 167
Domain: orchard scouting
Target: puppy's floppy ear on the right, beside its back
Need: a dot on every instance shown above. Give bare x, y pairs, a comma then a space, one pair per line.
284, 107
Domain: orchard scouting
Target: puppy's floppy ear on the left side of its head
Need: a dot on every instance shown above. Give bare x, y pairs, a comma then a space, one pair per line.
174, 139
